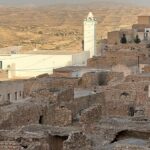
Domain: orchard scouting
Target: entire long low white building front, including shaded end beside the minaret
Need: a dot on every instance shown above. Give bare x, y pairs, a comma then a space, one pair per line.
30, 65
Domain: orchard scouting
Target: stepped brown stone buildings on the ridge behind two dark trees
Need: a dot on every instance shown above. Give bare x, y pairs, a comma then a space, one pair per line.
141, 29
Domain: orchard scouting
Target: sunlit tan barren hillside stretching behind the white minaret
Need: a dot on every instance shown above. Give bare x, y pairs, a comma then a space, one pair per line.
61, 26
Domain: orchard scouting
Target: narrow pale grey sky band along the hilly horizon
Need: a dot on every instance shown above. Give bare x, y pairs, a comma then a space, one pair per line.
56, 2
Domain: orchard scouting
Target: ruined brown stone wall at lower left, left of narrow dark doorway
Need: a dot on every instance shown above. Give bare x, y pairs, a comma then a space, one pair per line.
15, 115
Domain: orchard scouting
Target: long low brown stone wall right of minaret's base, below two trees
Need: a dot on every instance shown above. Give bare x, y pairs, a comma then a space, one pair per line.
115, 58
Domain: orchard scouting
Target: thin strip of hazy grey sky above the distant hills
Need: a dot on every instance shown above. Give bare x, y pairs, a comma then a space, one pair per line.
45, 2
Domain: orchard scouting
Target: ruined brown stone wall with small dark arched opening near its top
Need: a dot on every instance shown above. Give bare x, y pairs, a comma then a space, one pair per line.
118, 102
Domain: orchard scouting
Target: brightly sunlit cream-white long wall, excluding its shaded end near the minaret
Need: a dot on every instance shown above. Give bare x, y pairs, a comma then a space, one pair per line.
27, 65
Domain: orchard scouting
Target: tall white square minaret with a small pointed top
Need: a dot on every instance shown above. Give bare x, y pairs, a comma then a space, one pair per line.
90, 34
